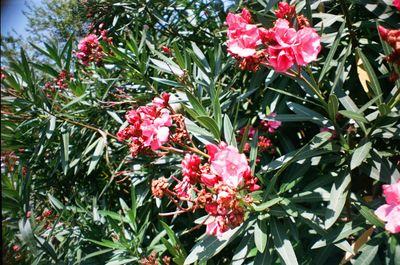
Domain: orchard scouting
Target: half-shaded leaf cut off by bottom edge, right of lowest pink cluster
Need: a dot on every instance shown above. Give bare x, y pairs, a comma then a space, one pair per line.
282, 243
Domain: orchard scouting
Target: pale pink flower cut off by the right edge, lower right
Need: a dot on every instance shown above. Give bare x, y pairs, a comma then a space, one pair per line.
390, 212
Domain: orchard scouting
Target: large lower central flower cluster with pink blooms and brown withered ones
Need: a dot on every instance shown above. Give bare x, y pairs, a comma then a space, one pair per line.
220, 187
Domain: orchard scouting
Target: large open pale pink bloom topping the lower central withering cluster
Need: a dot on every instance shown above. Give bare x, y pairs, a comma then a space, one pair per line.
228, 163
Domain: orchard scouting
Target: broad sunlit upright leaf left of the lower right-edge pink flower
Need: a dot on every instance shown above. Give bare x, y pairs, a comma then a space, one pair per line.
337, 199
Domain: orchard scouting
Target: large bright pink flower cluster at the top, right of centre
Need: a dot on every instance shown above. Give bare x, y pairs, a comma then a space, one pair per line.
279, 47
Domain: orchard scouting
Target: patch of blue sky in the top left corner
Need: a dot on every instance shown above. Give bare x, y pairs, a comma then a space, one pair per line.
12, 17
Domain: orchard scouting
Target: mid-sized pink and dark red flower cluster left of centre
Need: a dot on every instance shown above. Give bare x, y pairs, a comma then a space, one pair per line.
148, 126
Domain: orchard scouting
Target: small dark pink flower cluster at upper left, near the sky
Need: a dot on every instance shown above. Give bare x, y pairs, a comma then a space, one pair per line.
90, 50
